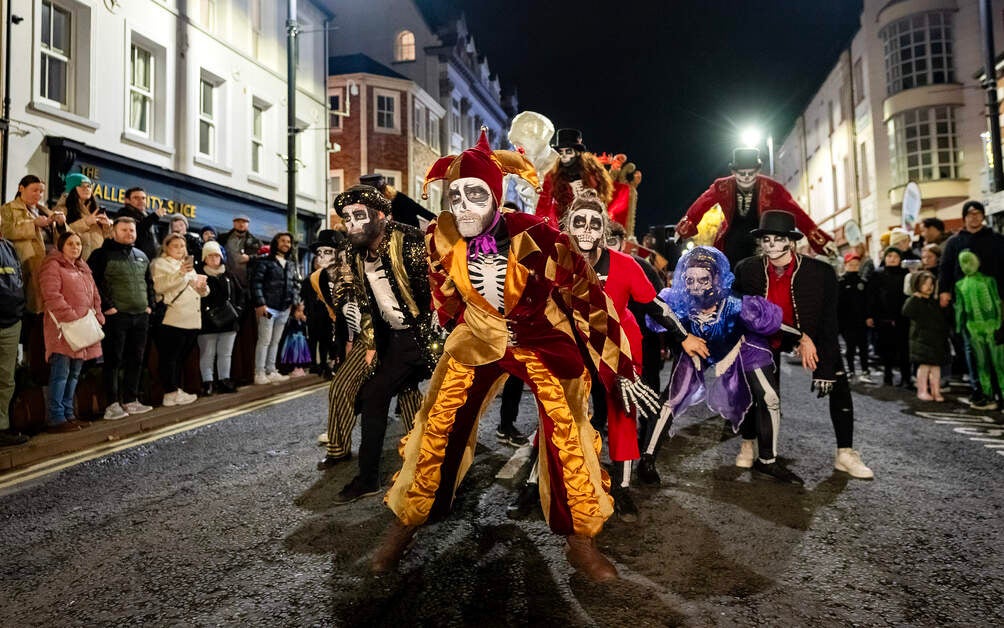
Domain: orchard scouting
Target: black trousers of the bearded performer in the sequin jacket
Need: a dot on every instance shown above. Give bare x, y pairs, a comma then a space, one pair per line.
401, 367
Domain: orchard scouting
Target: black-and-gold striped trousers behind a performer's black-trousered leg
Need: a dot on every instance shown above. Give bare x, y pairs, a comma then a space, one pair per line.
342, 399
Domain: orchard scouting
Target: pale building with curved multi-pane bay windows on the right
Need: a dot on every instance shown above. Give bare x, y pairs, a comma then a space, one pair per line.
901, 105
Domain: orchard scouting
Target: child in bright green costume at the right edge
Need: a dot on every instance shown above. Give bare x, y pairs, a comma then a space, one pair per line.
978, 315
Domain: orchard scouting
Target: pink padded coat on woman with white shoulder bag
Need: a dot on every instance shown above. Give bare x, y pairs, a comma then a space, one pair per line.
69, 292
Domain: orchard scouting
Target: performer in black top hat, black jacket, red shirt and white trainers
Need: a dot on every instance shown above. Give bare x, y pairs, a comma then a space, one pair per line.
806, 290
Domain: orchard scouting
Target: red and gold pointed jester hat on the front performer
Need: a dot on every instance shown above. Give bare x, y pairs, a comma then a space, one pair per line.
482, 163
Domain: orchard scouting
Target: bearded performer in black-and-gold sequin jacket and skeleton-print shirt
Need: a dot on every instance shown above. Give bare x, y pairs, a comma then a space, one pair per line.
395, 349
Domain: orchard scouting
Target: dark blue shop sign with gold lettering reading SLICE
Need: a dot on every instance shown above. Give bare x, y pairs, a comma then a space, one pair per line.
200, 207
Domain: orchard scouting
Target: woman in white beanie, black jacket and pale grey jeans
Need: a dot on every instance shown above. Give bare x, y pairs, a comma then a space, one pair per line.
218, 333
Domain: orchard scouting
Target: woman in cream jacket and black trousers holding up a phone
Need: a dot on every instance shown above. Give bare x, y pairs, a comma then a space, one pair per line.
177, 285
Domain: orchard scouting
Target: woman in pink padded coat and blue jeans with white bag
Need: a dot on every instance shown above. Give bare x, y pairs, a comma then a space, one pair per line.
69, 292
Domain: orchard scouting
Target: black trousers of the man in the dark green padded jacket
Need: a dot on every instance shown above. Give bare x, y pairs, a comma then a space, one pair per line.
123, 348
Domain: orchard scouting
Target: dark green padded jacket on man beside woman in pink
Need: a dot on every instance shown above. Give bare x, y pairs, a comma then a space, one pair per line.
122, 274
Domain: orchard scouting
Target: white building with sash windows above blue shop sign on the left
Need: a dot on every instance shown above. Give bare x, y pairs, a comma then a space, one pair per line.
186, 99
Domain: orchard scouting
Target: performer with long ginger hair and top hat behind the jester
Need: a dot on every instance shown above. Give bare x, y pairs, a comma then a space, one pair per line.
576, 170
